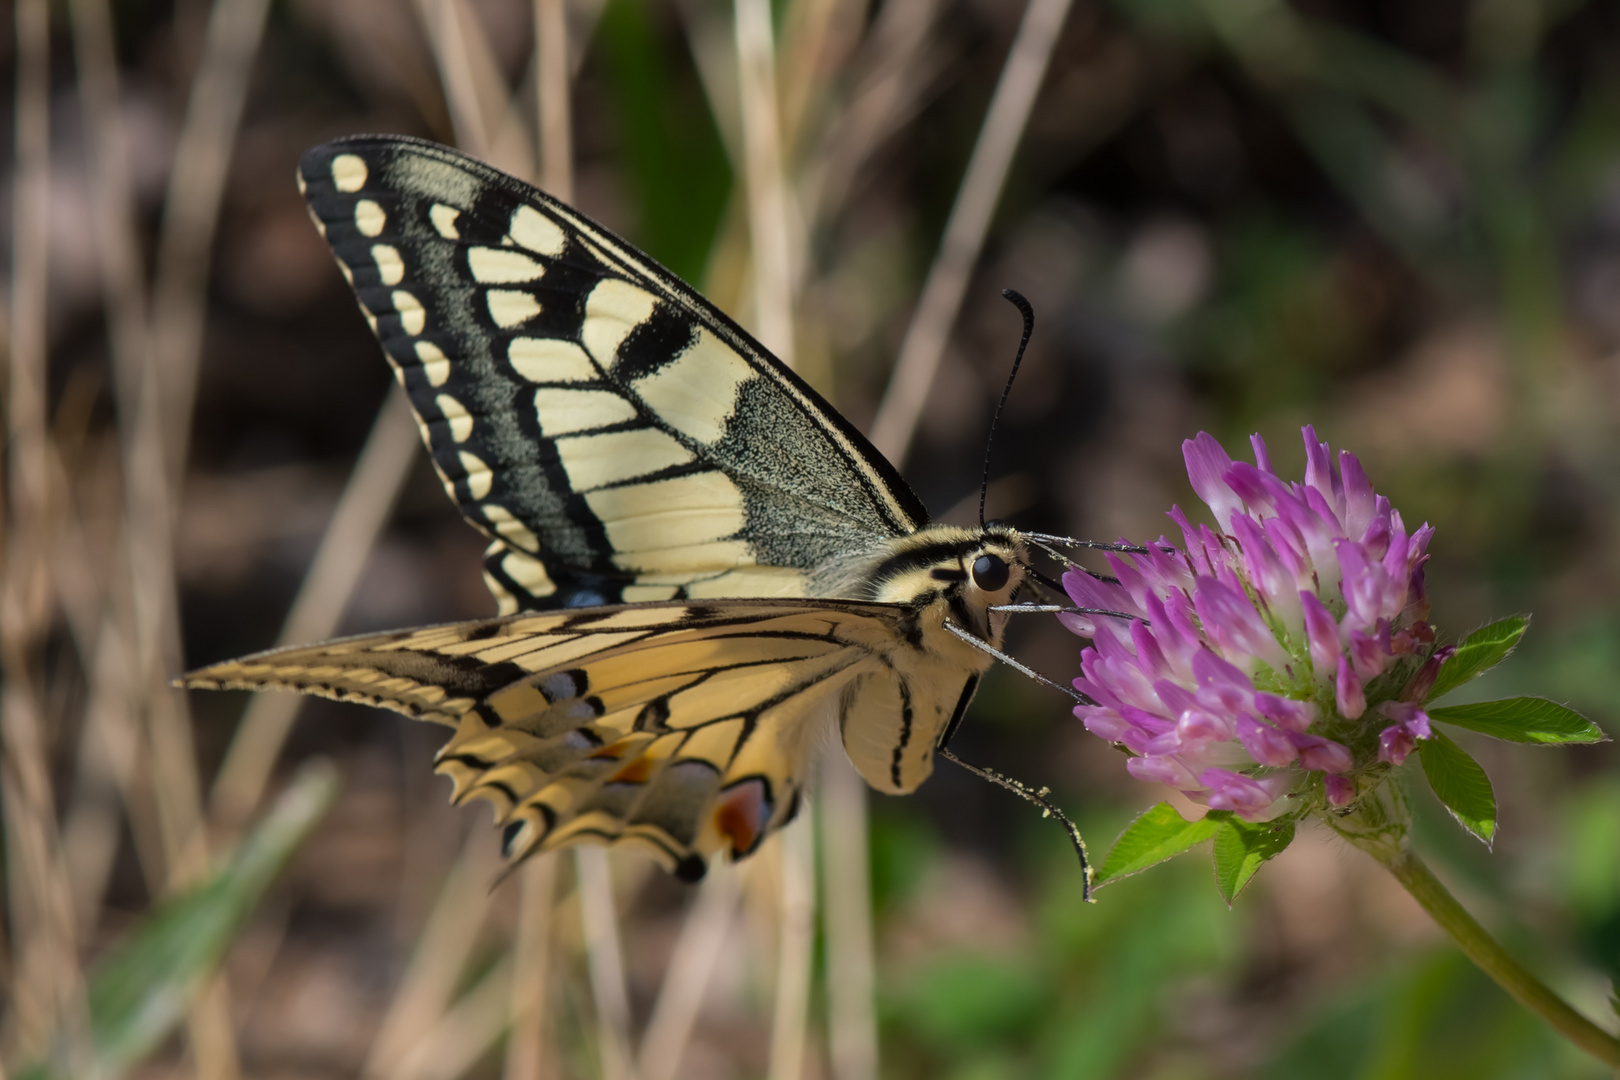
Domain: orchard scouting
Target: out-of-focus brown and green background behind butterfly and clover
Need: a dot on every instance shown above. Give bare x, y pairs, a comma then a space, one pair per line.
1399, 223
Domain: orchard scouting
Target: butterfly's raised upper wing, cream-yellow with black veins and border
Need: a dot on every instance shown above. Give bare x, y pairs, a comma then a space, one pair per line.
615, 436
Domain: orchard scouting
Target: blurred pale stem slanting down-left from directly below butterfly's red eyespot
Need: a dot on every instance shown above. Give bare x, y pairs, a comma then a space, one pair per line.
704, 933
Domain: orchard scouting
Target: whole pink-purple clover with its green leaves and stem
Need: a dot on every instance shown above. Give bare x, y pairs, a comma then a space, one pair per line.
1282, 666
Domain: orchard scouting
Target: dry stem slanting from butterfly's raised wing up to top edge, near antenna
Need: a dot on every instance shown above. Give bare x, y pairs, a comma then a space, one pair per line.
968, 226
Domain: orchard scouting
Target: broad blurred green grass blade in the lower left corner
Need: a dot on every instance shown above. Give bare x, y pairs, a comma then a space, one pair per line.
142, 992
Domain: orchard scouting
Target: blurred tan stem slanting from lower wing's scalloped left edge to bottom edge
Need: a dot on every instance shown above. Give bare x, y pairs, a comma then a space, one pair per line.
441, 955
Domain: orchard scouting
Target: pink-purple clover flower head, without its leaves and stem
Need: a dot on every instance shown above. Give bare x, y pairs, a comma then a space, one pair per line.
1281, 657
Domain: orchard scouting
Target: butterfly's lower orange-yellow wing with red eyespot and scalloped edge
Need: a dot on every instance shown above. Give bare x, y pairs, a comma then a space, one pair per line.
681, 728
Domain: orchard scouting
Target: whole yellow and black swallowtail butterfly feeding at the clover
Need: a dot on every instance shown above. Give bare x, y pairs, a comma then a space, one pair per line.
701, 566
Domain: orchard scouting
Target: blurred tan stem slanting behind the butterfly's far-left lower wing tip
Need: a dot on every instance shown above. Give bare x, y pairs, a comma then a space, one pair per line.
360, 516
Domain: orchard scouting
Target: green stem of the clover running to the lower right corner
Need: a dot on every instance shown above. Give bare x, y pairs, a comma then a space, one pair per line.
1496, 963
